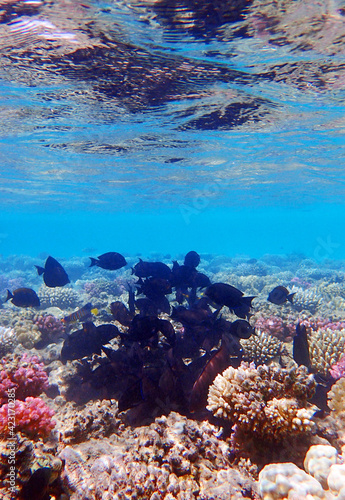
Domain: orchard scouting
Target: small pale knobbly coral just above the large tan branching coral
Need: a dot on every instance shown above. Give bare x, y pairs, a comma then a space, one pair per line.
261, 348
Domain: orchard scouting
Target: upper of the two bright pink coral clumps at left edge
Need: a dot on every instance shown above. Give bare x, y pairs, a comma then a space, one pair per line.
24, 374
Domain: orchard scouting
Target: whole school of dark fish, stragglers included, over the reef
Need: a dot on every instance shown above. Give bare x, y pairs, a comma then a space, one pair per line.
154, 357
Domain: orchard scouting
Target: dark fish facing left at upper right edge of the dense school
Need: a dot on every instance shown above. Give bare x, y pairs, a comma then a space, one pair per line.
227, 295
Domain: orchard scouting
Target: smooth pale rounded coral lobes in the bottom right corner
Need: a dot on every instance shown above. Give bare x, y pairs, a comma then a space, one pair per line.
323, 478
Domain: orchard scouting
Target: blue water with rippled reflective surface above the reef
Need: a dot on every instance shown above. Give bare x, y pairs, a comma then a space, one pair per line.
140, 129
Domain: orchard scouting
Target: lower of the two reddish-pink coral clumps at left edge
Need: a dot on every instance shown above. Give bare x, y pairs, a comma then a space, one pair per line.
31, 417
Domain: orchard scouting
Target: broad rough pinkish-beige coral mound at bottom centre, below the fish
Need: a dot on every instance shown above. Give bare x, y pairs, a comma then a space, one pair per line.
173, 458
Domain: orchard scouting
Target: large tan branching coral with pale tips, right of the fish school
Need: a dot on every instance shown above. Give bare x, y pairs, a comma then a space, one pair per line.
268, 401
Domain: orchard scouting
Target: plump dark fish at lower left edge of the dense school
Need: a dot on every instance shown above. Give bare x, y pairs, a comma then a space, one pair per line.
87, 341
